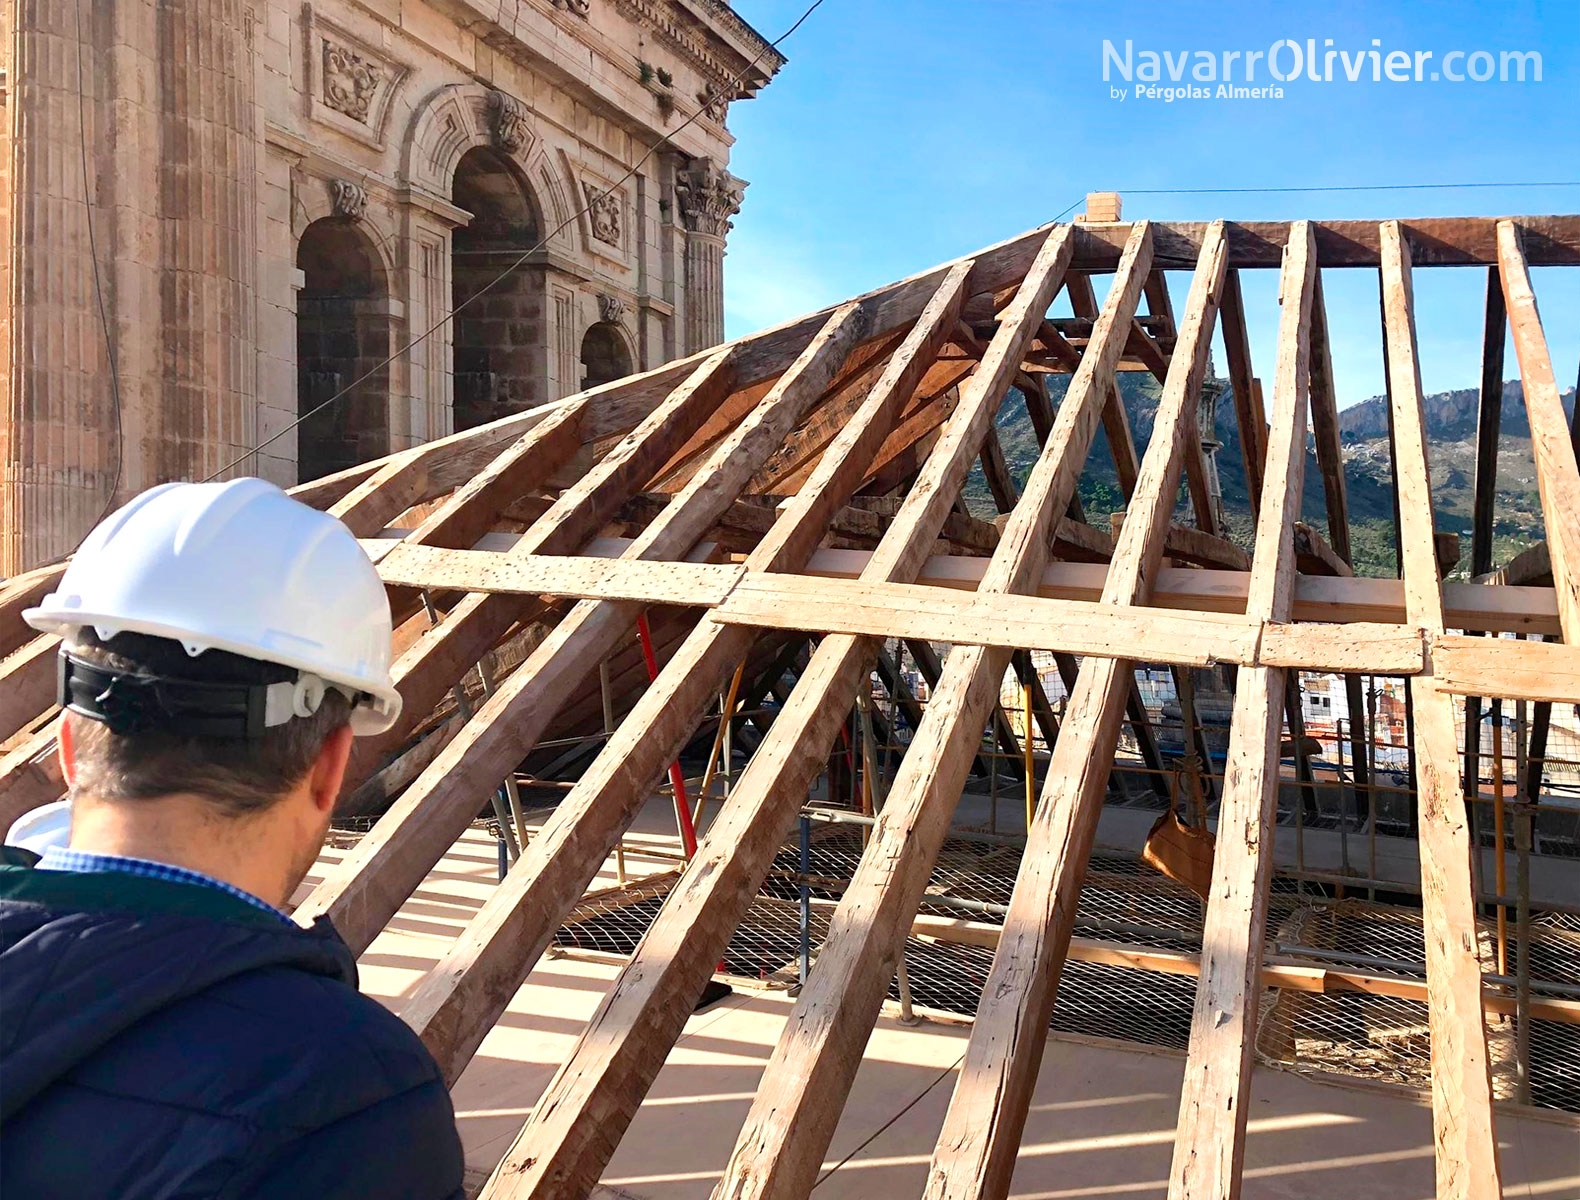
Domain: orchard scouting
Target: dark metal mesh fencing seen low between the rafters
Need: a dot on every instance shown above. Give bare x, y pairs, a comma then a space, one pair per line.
1124, 902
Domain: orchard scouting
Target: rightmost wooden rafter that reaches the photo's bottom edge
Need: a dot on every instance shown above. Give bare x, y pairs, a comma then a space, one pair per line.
1467, 1150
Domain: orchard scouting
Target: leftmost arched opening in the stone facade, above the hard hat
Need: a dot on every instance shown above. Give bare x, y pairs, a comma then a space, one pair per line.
342, 336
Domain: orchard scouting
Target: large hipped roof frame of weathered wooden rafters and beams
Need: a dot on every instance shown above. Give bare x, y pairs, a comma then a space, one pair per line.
862, 425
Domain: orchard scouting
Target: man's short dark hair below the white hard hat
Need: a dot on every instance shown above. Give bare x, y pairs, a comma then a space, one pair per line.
239, 777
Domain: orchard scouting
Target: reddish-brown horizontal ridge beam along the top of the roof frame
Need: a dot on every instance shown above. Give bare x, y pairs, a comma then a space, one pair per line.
1434, 243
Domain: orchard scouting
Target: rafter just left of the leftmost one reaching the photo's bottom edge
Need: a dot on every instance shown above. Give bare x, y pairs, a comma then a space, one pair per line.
459, 1002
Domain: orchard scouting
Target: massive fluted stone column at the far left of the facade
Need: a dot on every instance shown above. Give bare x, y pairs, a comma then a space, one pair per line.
170, 127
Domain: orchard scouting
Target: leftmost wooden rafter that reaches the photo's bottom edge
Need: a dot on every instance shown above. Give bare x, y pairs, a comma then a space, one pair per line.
590, 1101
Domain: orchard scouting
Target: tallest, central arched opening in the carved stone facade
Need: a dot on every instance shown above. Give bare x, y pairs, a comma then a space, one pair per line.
500, 334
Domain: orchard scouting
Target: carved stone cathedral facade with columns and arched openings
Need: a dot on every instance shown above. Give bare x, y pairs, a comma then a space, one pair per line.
280, 197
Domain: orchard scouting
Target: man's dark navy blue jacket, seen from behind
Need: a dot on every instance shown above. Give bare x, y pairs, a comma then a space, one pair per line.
165, 1041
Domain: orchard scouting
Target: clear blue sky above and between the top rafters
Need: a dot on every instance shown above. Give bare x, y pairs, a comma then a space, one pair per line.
909, 132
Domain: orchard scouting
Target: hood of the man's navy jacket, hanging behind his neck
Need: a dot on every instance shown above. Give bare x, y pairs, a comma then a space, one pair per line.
86, 957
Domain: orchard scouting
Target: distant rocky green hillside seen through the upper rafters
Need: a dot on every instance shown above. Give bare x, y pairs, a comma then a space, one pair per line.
1451, 426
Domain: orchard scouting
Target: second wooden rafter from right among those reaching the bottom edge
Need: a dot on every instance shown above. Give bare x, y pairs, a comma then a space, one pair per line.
1209, 1149
